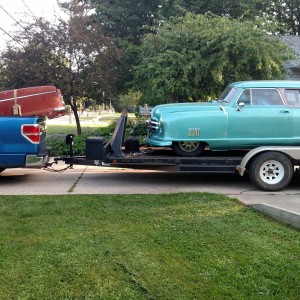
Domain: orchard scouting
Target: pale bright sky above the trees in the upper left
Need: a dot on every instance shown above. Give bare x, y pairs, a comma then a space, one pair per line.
24, 10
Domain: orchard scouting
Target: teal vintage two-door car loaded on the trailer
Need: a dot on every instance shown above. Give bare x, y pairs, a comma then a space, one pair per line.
248, 114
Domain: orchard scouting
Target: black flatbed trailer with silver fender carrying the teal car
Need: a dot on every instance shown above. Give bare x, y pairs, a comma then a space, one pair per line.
270, 168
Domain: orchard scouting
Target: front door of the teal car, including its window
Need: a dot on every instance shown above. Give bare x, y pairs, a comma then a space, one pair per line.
259, 117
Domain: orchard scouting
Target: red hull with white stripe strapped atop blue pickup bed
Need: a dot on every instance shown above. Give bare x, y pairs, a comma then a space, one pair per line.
33, 101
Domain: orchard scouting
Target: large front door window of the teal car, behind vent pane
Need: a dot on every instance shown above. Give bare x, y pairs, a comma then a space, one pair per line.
266, 97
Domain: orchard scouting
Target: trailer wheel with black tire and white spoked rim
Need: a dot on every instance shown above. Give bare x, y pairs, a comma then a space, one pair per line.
271, 171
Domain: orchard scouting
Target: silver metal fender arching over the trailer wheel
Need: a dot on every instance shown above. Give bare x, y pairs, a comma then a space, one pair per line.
291, 151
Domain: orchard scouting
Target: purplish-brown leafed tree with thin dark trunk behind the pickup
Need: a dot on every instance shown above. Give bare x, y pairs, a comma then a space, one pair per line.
73, 55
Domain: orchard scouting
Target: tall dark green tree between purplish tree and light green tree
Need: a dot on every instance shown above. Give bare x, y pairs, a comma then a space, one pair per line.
126, 22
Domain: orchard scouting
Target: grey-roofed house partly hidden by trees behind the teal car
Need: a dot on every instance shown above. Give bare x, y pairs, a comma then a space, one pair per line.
293, 66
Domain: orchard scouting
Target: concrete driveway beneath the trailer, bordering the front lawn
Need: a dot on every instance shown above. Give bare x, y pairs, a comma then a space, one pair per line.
283, 205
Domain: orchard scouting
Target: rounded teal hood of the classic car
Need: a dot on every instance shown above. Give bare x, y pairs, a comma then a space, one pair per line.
165, 109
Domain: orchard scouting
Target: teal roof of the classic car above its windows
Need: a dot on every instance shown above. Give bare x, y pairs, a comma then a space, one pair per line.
267, 84
